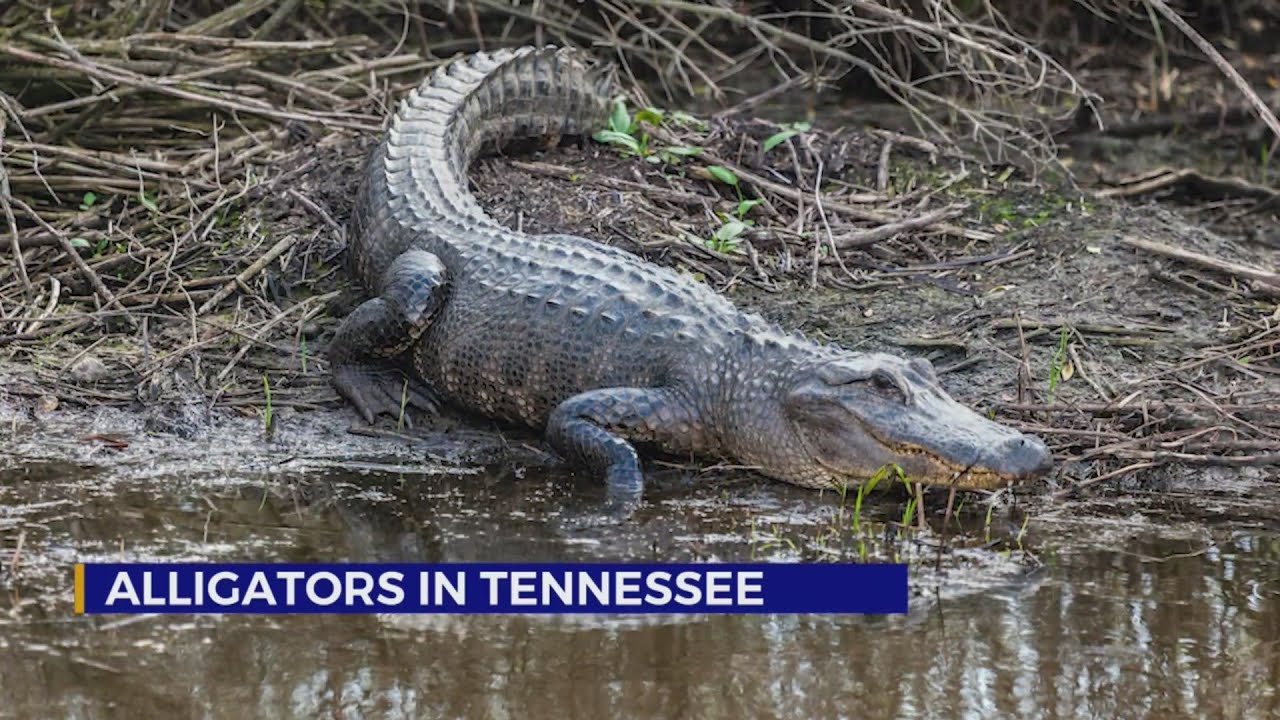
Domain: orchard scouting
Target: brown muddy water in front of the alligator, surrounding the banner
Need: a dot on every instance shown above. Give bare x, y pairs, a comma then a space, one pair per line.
1104, 618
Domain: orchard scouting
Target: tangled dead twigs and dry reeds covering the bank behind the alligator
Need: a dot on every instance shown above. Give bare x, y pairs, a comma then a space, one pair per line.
175, 179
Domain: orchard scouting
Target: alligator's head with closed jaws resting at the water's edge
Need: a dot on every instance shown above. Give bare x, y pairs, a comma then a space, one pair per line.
839, 420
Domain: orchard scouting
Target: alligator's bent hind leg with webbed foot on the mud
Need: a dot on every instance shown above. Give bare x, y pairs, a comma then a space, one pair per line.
368, 343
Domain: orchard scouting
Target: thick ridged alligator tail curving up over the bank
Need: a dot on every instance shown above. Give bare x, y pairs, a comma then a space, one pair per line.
415, 188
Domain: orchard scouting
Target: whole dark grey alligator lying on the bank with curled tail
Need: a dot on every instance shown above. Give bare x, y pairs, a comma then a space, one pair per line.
597, 348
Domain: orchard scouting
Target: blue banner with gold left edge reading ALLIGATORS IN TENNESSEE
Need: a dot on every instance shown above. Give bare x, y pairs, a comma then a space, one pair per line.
492, 589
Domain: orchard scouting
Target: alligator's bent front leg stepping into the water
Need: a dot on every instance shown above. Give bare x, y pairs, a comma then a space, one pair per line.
598, 427
